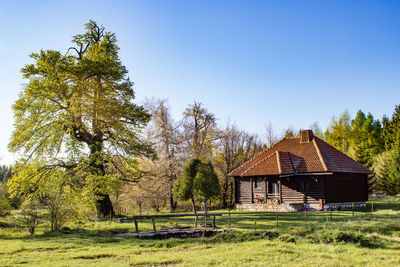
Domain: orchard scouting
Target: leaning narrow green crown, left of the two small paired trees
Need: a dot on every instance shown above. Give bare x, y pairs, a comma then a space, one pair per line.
183, 187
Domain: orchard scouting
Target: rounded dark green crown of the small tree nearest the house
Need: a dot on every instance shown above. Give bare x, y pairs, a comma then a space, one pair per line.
206, 183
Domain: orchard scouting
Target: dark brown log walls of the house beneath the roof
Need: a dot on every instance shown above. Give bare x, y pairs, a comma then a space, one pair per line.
336, 188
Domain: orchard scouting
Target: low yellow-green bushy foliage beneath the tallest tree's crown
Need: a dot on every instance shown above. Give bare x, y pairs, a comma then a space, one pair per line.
65, 195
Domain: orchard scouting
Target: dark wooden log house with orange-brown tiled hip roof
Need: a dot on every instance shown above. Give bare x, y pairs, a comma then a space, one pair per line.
298, 173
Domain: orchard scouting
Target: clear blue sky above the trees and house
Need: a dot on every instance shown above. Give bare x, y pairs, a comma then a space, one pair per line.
290, 63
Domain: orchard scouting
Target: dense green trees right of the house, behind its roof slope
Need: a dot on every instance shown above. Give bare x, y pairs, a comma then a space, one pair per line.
372, 142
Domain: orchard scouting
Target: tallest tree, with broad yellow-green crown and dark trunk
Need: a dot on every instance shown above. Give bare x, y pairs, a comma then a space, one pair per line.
78, 107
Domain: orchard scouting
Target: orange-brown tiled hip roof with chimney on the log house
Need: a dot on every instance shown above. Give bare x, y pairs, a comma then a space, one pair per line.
298, 155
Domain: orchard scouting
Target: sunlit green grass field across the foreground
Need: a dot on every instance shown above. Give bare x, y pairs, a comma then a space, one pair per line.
365, 239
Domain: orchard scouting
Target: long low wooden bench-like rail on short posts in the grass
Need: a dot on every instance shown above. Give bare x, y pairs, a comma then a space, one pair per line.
153, 217
